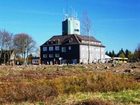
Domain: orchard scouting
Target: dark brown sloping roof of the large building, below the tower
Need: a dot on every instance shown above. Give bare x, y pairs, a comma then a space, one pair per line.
71, 39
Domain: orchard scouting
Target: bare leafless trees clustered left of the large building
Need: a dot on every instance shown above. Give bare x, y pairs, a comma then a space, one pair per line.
22, 43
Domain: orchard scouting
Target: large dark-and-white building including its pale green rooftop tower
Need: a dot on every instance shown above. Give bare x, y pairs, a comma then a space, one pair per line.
71, 47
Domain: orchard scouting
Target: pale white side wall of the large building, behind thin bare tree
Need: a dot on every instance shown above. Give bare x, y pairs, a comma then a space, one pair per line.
96, 54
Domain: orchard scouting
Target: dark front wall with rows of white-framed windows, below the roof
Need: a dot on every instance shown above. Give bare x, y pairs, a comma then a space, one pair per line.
68, 53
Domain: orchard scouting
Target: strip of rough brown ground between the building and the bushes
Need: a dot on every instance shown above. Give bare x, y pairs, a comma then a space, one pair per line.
12, 73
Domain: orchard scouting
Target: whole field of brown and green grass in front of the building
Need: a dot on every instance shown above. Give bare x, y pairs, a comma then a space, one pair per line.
96, 84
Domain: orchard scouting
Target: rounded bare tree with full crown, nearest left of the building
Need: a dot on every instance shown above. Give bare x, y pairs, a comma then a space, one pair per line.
24, 44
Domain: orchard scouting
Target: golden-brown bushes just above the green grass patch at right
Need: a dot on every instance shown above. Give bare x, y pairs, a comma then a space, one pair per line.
94, 82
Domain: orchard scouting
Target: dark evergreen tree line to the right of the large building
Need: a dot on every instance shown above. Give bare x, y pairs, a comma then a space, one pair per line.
132, 56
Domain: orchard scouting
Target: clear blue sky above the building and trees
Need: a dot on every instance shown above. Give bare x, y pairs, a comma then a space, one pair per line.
116, 23
